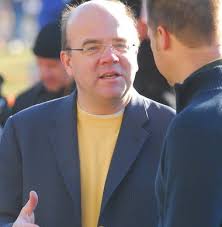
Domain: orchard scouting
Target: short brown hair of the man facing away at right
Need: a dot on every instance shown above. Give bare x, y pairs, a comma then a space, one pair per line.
193, 22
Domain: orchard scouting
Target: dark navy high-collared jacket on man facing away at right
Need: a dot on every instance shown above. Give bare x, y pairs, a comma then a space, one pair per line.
189, 181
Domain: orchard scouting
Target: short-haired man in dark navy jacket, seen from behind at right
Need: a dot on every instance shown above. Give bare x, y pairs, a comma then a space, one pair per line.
189, 180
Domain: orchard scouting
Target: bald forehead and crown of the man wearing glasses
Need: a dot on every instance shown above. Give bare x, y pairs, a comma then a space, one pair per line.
92, 18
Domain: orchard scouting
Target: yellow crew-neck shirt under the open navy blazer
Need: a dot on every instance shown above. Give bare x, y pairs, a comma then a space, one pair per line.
97, 137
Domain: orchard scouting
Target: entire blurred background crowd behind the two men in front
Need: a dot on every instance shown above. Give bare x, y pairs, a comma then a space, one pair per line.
29, 56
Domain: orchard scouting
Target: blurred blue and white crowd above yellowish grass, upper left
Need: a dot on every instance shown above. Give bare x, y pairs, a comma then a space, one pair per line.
23, 19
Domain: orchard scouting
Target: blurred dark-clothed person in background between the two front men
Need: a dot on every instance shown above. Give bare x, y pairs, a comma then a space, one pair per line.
149, 82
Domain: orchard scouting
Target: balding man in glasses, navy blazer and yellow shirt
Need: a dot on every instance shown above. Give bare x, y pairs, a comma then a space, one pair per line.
90, 157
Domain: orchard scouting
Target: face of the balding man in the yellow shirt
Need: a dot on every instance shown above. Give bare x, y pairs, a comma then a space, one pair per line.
106, 74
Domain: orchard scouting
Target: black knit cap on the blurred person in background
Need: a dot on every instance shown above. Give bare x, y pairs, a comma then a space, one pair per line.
48, 42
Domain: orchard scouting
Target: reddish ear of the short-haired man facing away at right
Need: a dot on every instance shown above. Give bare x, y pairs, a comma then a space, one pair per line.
163, 38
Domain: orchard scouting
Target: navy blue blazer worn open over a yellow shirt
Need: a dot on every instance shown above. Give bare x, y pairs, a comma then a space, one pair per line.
39, 151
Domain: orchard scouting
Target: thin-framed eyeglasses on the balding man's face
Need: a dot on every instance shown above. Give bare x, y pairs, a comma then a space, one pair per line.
99, 48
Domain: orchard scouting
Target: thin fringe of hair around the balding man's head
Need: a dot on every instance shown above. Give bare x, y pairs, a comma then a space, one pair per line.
69, 9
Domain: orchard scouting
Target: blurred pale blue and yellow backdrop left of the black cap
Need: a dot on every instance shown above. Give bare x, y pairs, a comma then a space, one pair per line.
19, 26
